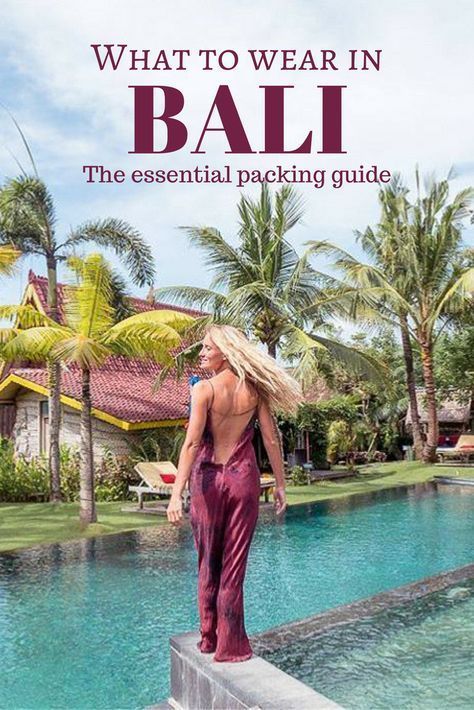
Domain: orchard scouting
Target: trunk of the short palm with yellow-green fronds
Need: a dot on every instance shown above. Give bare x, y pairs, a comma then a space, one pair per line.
87, 512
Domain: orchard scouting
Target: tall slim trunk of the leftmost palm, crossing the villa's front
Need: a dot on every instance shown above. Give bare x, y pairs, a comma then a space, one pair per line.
54, 377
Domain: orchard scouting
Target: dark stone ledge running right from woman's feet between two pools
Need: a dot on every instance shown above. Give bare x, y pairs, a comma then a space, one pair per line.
348, 613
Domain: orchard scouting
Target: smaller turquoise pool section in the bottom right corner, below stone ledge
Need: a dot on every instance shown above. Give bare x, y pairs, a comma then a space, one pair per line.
418, 656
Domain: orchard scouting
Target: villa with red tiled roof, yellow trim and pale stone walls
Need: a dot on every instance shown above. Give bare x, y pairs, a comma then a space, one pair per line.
124, 404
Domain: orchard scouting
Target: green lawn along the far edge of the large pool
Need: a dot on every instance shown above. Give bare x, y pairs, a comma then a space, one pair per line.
26, 524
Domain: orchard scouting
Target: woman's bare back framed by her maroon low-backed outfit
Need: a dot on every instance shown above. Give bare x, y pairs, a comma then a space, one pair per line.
231, 410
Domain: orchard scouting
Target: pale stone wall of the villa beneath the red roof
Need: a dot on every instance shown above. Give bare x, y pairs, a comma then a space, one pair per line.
26, 432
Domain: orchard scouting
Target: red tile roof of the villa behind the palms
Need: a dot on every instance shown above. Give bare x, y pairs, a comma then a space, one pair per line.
122, 387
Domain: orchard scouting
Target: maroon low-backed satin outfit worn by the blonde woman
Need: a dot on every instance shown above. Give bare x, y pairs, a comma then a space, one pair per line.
224, 512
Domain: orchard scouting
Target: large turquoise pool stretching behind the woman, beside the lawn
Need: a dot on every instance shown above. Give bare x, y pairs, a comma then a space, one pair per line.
86, 624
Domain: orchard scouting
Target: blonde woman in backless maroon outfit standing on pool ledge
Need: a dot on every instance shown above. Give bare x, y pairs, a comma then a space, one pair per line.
219, 457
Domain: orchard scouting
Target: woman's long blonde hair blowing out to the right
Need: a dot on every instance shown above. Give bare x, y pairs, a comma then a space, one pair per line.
272, 382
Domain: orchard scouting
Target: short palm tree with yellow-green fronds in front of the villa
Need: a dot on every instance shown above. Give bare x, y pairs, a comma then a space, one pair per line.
88, 337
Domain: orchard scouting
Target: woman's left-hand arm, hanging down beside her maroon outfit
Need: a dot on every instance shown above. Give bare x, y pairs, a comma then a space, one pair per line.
200, 398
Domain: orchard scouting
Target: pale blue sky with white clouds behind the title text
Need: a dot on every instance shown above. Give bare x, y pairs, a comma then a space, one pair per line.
417, 109
